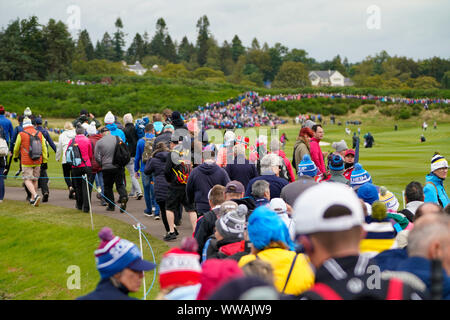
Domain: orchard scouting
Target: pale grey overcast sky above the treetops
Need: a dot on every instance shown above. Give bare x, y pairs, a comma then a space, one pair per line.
354, 29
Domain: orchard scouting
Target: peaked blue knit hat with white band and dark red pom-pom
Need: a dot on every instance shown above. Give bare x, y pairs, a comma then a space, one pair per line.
115, 254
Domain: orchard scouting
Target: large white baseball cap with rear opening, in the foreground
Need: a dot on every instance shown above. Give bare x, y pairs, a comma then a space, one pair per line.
313, 203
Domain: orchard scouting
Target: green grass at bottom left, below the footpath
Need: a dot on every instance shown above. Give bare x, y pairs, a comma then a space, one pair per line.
39, 244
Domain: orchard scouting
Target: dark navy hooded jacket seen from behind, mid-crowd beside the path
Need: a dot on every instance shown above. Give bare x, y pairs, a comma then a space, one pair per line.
201, 180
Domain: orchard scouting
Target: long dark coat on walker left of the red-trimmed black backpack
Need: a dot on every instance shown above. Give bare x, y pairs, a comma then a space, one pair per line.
156, 167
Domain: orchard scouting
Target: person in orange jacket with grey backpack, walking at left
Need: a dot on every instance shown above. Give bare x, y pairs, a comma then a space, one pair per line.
32, 154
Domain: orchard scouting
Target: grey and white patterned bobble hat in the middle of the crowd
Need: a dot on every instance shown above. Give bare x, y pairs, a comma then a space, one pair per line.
232, 223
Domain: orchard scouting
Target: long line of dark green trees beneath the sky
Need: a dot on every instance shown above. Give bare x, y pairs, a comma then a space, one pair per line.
30, 51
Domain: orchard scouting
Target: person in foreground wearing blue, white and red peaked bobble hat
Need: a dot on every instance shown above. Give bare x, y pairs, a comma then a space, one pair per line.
121, 268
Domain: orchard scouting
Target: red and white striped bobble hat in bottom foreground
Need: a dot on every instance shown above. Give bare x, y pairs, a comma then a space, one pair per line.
180, 266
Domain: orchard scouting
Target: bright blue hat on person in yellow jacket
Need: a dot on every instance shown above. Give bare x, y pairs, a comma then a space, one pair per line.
265, 226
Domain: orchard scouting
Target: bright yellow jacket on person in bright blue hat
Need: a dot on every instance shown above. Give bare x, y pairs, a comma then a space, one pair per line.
302, 276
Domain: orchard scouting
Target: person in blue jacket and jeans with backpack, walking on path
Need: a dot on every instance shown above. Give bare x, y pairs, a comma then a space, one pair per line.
144, 151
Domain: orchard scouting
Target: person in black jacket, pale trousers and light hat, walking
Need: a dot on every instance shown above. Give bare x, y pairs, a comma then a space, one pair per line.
132, 140
